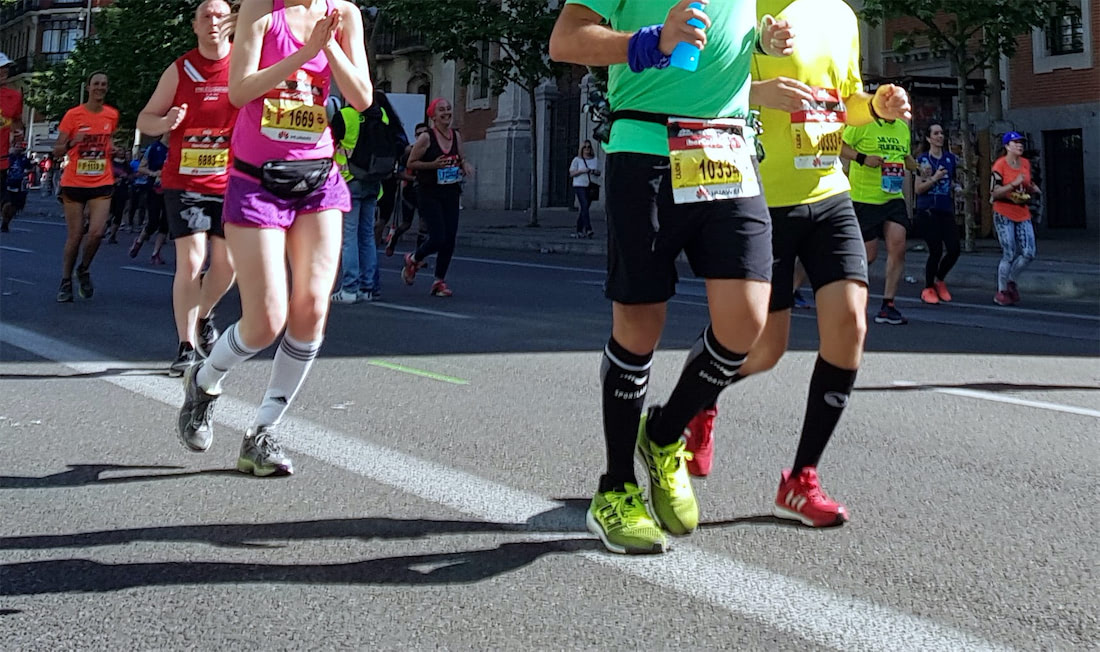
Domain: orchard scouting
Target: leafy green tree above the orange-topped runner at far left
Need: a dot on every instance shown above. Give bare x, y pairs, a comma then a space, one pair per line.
134, 42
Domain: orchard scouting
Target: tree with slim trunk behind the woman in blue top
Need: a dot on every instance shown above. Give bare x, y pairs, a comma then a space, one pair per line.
973, 36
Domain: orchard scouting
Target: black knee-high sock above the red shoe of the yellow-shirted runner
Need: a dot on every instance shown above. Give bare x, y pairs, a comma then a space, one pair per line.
830, 389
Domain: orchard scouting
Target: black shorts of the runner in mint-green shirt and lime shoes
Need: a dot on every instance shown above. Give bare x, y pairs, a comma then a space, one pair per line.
646, 234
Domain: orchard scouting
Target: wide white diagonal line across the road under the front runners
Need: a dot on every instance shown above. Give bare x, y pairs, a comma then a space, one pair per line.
789, 605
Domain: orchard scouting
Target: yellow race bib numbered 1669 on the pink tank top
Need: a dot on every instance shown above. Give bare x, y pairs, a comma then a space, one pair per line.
294, 112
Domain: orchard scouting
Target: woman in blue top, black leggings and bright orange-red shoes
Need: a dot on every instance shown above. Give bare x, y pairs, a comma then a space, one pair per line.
936, 214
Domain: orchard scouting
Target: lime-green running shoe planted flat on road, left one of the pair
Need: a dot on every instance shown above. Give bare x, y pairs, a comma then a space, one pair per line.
623, 523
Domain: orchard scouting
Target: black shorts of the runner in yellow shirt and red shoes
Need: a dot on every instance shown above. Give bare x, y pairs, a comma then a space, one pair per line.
826, 237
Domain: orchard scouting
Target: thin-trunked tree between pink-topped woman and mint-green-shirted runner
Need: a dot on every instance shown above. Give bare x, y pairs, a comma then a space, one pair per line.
520, 30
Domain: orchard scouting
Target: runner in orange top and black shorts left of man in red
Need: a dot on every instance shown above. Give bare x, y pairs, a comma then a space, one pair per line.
85, 135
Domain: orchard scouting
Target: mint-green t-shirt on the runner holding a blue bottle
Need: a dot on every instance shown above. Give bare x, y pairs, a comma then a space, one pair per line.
720, 89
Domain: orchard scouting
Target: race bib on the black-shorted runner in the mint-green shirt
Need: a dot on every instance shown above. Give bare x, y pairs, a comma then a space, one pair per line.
711, 161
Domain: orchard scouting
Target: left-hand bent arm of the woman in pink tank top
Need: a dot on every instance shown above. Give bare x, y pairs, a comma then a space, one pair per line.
247, 82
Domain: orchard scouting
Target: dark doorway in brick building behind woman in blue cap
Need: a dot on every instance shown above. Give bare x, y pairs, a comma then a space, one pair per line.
1064, 179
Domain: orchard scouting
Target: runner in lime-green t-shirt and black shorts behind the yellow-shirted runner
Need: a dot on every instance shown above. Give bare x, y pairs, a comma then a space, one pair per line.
879, 171
